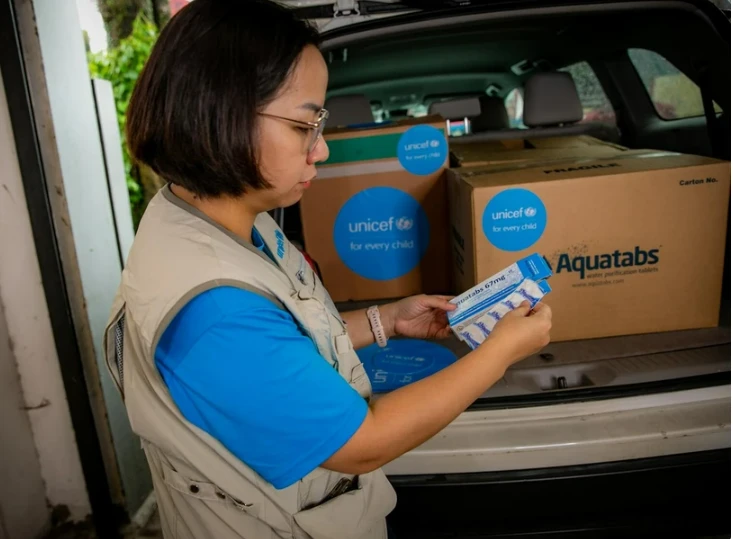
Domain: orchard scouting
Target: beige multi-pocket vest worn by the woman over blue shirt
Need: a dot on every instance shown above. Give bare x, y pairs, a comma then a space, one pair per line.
204, 491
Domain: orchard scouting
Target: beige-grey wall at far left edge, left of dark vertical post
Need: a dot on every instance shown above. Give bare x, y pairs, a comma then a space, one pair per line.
54, 455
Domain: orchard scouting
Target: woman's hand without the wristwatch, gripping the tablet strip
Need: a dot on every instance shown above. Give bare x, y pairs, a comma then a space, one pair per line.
522, 332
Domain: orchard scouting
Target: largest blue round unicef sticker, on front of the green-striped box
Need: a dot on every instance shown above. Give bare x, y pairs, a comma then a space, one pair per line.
381, 233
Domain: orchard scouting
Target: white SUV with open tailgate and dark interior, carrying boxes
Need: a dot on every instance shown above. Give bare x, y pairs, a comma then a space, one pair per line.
645, 448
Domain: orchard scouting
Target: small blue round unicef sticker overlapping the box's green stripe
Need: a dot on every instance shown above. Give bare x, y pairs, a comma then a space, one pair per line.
422, 150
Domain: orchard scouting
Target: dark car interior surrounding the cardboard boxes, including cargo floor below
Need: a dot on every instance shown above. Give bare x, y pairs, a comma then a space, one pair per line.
567, 72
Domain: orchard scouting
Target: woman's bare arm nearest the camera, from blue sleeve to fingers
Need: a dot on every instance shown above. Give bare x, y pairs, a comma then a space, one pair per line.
403, 419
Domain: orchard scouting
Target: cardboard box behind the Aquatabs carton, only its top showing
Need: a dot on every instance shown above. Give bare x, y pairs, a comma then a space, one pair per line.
470, 154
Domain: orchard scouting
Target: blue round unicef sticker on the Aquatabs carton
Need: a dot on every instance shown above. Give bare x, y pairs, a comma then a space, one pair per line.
514, 220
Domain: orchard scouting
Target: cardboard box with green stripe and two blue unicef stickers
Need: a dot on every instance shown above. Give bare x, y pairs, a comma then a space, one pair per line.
376, 219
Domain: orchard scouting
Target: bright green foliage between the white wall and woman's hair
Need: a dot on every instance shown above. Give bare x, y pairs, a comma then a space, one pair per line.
121, 65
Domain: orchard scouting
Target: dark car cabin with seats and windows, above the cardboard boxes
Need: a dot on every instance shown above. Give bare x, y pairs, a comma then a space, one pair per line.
607, 56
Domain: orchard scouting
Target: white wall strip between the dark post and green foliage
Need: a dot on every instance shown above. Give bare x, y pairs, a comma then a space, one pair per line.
74, 167
